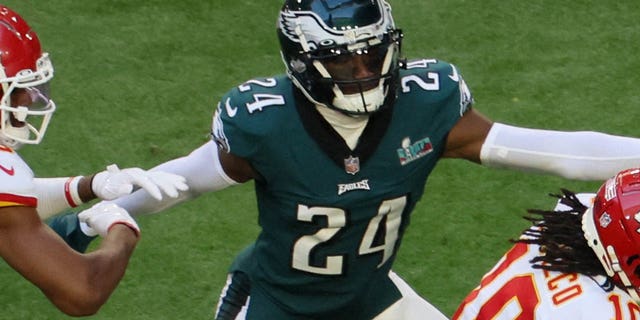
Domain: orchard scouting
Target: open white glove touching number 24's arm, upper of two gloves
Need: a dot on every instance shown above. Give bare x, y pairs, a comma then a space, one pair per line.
114, 183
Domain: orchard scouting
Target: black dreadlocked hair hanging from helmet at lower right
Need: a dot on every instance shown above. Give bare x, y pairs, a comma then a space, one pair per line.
559, 234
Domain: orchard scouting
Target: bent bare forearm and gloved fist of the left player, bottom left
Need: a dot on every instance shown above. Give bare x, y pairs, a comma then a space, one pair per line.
77, 284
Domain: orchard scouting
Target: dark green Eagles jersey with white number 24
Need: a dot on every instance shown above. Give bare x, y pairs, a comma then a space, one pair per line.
332, 218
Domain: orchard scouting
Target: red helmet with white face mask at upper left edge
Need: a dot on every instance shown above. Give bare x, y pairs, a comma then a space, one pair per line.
25, 106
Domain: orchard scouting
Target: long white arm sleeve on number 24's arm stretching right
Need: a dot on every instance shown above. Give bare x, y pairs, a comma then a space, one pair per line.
580, 155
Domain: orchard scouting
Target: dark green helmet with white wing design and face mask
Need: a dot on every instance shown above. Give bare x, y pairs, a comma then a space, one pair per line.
343, 55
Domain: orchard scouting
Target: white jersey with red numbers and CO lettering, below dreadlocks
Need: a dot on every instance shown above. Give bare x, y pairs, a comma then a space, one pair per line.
514, 290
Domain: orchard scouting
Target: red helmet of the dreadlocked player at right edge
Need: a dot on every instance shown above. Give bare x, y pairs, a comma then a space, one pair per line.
612, 229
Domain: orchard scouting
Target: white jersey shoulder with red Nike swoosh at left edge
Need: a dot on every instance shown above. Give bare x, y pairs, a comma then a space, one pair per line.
16, 180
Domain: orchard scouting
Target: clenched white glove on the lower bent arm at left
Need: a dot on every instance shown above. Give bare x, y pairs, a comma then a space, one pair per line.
98, 219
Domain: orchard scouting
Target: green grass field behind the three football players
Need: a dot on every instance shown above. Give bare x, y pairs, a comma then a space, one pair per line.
137, 82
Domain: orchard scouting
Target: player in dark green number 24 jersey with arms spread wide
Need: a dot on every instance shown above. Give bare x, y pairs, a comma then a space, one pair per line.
340, 148
